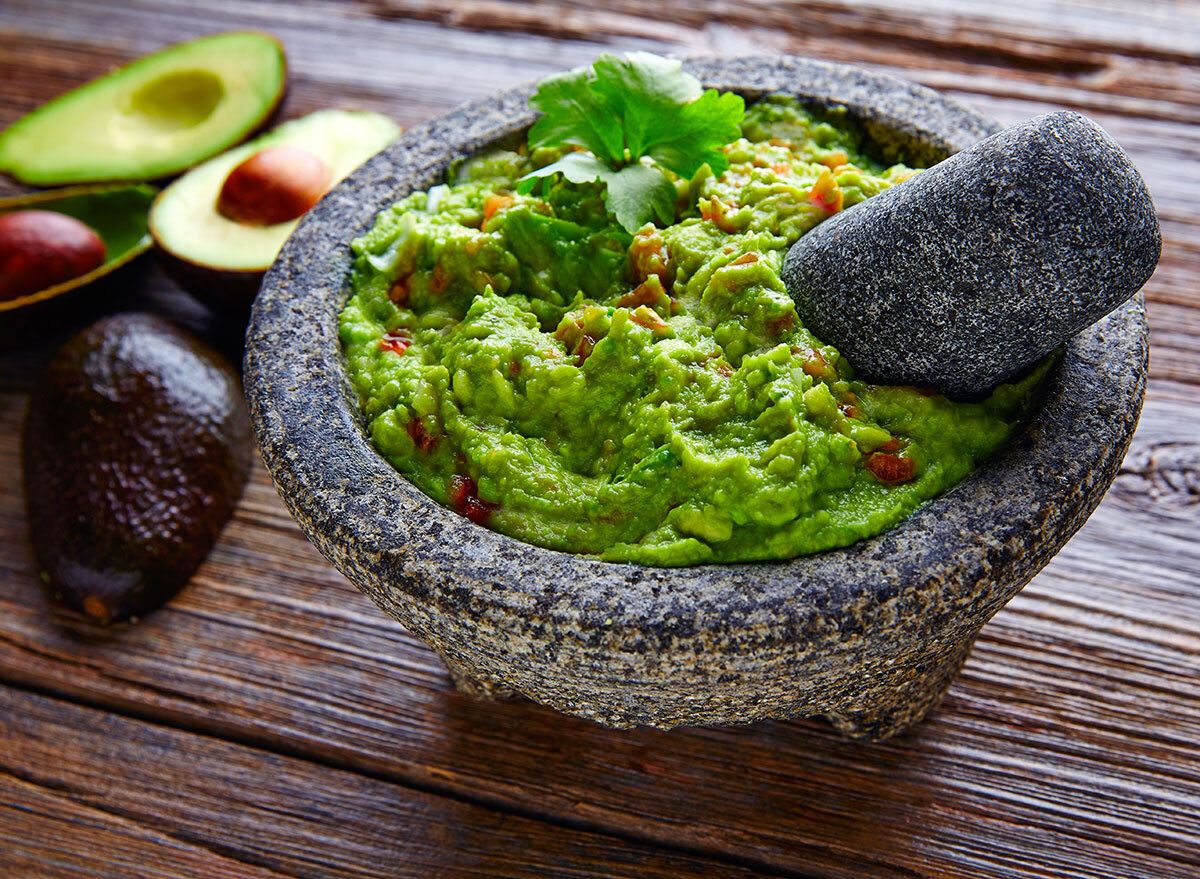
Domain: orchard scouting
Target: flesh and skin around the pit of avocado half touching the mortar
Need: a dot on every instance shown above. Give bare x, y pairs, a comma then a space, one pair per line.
223, 260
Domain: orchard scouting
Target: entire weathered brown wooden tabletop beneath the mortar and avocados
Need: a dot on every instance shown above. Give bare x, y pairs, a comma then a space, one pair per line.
272, 722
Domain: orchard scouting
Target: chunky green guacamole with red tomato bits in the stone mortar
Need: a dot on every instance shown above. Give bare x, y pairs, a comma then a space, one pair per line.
647, 398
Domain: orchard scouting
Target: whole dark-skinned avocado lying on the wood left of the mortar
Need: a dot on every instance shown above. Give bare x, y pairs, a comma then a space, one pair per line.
136, 449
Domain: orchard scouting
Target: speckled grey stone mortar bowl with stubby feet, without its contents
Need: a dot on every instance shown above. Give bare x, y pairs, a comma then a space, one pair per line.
871, 636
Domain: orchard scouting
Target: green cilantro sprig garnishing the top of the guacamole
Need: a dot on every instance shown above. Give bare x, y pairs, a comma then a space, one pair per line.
635, 116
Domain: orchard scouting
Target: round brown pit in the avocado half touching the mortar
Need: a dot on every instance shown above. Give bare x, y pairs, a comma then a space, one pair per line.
274, 187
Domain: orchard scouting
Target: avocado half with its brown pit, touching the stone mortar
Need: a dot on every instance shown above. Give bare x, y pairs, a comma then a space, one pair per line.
220, 226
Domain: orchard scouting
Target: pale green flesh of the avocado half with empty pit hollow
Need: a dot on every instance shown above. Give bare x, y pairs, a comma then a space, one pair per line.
152, 118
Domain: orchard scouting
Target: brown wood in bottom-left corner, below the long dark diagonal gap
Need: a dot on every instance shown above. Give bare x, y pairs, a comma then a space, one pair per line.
86, 793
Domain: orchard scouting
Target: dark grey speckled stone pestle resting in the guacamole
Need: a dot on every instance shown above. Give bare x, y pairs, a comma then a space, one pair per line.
967, 274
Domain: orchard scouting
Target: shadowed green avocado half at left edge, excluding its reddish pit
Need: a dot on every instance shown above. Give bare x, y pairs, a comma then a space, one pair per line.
118, 214
